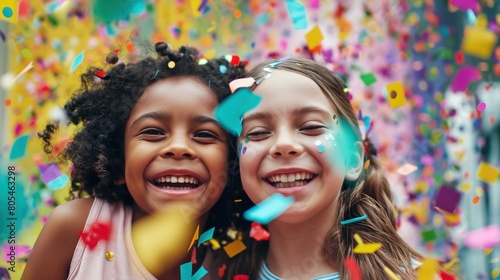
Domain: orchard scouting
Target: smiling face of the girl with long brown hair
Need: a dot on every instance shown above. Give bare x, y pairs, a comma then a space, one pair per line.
289, 146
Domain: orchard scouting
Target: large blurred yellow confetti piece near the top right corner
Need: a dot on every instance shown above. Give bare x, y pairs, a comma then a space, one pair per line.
478, 42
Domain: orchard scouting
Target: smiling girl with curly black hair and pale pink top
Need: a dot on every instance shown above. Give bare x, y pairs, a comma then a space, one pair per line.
146, 138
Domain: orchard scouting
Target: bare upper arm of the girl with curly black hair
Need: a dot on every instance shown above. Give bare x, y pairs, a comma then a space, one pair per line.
53, 250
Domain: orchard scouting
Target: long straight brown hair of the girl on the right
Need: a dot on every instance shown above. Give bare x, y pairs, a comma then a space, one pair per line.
370, 194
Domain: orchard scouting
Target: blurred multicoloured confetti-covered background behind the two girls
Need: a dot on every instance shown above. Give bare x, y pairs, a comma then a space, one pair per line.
423, 75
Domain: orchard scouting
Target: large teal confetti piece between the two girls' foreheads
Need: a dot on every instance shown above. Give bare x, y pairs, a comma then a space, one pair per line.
231, 110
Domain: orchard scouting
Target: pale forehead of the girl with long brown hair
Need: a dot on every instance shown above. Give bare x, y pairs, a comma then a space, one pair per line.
284, 89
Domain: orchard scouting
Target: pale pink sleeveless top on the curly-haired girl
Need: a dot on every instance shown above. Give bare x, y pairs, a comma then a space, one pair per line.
97, 263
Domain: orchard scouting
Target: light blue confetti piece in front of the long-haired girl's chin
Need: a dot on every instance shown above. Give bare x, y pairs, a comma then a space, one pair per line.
269, 209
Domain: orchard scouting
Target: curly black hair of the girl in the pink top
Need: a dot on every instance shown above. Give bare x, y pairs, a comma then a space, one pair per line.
101, 107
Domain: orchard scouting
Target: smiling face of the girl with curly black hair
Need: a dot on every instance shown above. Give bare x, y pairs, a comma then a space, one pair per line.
174, 149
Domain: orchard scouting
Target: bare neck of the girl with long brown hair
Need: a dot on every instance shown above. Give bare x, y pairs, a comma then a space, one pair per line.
296, 250
